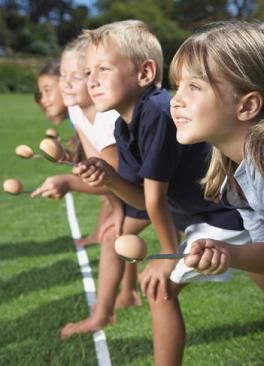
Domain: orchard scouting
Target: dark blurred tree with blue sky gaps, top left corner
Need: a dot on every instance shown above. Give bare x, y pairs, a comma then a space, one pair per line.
41, 26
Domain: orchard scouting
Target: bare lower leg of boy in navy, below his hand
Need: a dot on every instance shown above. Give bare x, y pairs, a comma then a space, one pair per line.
168, 324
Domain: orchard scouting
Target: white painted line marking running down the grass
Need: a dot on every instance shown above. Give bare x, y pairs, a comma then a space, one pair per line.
99, 338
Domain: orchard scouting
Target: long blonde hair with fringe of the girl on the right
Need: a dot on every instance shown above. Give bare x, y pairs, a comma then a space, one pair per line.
237, 50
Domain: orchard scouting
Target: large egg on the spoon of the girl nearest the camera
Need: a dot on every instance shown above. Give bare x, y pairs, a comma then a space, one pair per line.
131, 246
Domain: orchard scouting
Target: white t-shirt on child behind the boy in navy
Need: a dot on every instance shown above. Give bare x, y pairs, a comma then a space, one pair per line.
101, 132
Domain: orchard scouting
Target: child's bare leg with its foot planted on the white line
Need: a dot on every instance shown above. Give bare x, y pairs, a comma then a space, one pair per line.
111, 269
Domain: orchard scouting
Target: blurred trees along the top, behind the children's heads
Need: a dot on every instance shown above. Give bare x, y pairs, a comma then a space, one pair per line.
43, 27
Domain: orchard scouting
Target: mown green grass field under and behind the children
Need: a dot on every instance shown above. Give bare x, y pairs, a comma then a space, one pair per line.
41, 286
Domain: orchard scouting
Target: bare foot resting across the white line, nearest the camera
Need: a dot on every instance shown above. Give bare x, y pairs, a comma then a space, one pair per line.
91, 324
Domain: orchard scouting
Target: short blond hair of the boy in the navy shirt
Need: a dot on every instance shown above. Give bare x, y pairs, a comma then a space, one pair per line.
134, 40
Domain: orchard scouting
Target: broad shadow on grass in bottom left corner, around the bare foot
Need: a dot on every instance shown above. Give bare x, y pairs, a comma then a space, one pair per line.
34, 339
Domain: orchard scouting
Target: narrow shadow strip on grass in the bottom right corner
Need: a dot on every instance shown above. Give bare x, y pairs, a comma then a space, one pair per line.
214, 334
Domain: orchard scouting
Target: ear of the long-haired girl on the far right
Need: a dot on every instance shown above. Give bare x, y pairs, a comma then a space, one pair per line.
250, 106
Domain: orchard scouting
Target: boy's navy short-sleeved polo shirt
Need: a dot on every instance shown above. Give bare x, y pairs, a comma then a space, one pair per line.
148, 148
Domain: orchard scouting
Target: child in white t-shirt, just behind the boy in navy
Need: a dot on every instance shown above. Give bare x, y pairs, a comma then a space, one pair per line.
96, 135
